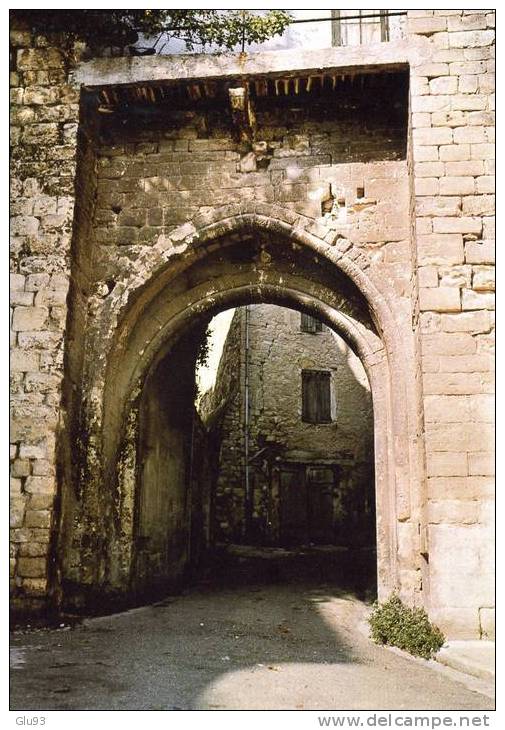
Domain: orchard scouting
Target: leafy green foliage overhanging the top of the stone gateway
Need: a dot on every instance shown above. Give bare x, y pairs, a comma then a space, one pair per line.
225, 29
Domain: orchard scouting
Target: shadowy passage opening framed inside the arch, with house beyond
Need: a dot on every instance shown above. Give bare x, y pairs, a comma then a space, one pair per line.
256, 457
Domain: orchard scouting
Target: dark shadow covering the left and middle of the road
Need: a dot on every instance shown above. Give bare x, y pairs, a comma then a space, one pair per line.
252, 609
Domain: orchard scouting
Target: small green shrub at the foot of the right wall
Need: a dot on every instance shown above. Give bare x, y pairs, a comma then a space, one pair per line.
396, 624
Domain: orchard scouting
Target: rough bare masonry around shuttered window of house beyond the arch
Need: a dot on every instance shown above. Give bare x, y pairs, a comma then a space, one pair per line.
278, 352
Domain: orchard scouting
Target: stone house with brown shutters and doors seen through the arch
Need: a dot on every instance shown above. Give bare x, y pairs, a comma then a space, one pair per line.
309, 474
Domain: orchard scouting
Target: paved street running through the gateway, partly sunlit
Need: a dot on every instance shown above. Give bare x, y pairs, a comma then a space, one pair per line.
288, 646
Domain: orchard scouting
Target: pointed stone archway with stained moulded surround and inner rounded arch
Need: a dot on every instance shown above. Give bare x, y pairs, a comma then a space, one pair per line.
238, 256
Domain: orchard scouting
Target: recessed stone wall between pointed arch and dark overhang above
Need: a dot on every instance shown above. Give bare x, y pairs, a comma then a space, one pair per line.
150, 181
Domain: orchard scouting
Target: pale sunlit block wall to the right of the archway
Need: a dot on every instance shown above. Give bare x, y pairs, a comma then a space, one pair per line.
453, 149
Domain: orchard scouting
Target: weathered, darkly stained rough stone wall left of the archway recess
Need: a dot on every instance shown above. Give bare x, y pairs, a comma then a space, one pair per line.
44, 117
